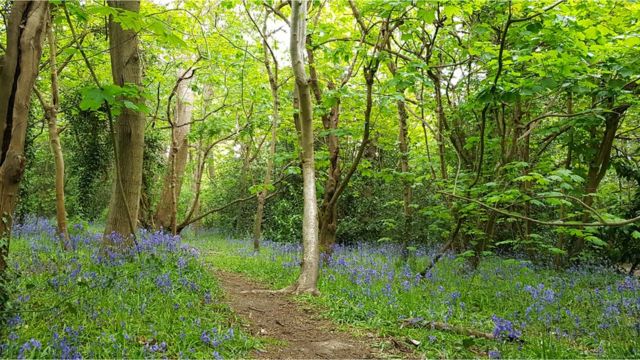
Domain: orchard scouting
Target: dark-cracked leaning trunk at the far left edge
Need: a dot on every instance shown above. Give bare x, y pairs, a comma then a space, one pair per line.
18, 71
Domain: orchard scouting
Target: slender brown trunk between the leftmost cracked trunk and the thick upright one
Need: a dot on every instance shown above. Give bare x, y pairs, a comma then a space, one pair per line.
51, 114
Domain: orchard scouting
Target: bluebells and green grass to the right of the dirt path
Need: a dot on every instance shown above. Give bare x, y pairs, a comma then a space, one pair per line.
533, 311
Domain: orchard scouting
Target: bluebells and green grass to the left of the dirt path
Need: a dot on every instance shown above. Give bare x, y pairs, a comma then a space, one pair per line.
156, 301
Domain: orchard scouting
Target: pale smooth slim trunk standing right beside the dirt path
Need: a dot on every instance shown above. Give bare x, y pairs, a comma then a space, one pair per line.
308, 280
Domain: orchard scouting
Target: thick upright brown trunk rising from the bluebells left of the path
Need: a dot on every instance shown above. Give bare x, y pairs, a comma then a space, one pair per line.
129, 131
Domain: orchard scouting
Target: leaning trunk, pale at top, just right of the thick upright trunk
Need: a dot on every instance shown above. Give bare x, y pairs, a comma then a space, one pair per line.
166, 211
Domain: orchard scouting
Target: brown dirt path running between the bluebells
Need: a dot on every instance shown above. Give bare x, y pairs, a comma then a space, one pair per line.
299, 331
